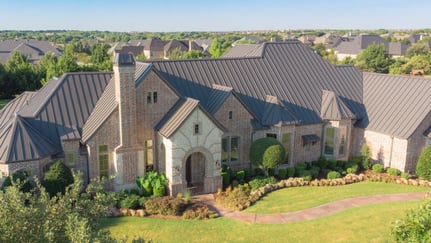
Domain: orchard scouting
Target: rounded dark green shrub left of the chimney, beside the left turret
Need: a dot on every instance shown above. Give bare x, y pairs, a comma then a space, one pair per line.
57, 178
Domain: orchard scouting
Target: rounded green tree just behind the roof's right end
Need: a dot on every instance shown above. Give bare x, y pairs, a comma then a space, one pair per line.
374, 59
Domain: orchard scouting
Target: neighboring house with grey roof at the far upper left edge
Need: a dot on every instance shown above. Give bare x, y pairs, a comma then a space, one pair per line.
32, 49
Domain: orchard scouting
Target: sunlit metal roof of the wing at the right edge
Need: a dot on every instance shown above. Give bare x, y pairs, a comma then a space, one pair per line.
396, 105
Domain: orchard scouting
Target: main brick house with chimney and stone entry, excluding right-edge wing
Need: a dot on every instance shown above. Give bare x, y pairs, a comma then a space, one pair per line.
186, 117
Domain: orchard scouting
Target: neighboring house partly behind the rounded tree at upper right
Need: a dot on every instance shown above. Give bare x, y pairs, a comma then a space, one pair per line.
360, 43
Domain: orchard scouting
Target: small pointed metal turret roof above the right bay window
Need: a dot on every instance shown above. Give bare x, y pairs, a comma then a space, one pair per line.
333, 108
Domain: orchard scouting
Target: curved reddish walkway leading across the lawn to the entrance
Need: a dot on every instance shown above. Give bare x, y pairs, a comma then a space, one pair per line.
309, 213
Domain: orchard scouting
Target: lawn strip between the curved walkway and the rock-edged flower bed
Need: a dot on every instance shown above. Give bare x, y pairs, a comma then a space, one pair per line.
297, 198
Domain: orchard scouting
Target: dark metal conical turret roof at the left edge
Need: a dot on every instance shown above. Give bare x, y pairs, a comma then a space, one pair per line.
20, 141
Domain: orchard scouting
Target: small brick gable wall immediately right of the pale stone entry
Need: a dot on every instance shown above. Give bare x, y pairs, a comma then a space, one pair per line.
239, 125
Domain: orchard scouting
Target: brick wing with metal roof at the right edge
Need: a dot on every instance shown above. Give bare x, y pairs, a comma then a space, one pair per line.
398, 124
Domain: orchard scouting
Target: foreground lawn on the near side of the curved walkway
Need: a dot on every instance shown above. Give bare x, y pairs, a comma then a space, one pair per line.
370, 223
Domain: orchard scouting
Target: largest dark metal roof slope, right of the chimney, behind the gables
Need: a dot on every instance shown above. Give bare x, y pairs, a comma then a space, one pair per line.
289, 70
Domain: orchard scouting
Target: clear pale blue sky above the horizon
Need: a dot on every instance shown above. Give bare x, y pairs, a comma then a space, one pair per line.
215, 15
